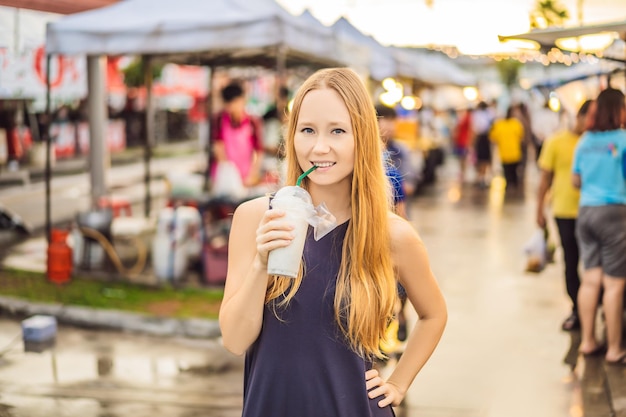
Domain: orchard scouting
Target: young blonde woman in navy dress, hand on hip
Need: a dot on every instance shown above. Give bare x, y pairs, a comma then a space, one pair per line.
310, 341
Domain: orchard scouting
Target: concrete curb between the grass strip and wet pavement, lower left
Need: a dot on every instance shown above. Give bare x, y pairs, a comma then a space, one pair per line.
114, 319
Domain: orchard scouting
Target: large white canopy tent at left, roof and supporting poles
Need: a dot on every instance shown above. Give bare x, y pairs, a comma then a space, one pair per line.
200, 32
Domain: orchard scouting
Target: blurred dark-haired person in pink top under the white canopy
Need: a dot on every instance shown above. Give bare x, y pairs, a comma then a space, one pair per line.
237, 136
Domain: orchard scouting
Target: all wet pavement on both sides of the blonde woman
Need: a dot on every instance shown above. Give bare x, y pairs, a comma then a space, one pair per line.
502, 355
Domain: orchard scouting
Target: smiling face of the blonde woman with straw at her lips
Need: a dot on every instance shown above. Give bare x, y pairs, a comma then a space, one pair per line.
324, 137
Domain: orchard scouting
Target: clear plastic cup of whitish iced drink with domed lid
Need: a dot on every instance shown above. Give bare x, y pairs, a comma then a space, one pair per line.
298, 206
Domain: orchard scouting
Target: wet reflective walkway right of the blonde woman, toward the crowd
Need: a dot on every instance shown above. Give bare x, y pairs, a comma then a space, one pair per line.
503, 353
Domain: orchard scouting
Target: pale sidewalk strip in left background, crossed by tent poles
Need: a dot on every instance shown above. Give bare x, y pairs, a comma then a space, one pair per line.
71, 187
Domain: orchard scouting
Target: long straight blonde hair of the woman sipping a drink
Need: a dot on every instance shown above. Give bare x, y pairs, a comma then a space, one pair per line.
366, 288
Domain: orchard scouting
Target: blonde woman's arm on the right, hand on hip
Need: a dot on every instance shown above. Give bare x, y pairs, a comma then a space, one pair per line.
413, 266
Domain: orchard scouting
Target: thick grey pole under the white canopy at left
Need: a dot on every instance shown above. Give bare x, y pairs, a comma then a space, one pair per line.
98, 151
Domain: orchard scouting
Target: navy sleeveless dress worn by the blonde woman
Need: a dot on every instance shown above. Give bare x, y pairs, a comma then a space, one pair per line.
301, 366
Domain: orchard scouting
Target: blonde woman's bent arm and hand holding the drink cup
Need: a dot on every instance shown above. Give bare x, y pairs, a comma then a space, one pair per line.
255, 231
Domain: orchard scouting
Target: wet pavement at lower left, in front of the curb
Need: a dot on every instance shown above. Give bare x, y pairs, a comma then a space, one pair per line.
93, 373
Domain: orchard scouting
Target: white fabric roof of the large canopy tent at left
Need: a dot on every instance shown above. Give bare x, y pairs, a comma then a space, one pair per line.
166, 27
